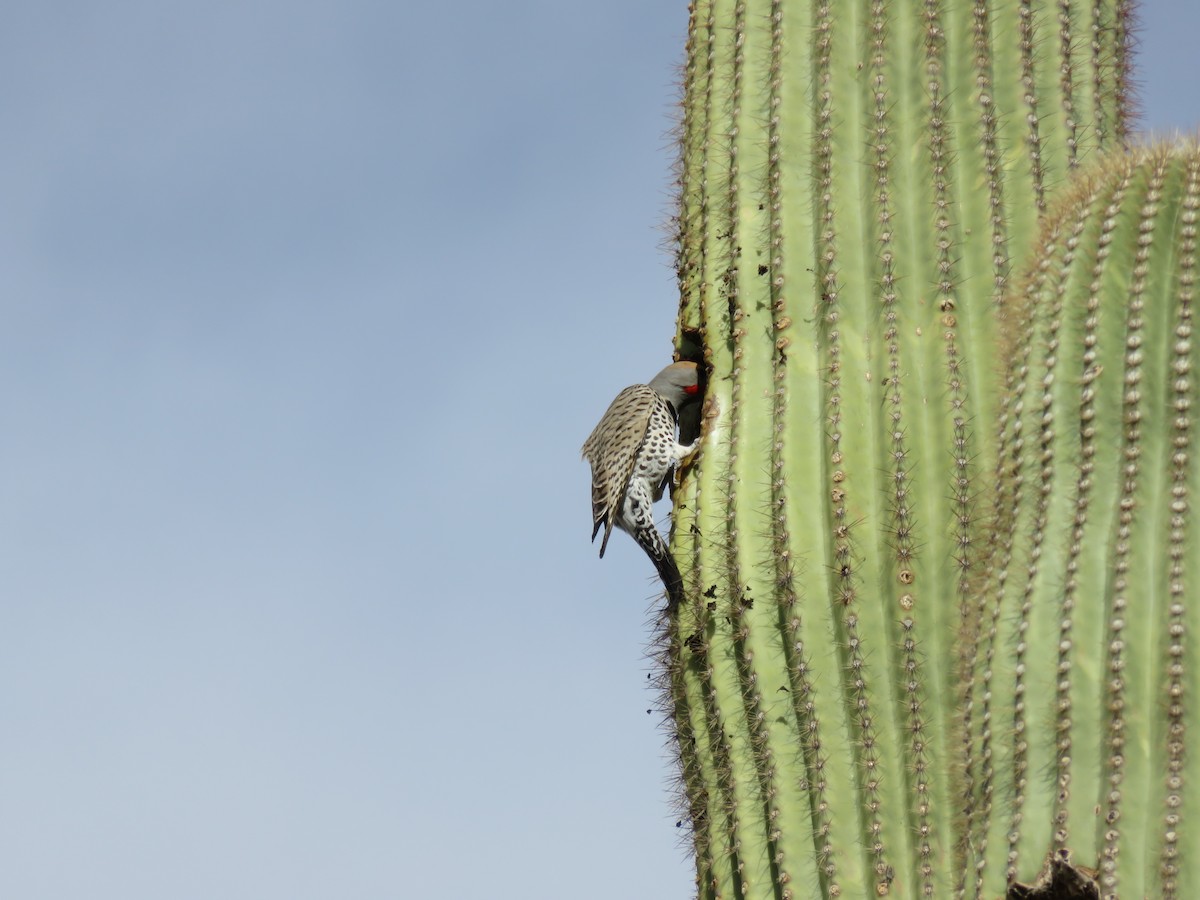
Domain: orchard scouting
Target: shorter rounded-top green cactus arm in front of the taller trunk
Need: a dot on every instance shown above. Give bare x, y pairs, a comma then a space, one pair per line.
1091, 610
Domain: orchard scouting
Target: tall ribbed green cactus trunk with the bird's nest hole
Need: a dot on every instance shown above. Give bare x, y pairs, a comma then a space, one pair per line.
857, 183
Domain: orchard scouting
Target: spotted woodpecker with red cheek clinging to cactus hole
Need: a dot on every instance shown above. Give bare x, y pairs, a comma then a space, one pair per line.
633, 453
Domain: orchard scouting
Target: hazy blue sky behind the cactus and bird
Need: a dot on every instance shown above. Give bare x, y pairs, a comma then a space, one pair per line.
308, 311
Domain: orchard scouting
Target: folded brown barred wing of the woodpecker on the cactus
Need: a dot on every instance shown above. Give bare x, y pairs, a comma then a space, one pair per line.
613, 451
